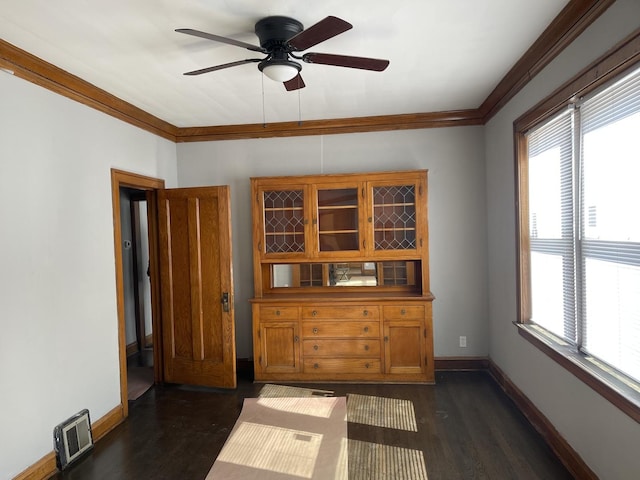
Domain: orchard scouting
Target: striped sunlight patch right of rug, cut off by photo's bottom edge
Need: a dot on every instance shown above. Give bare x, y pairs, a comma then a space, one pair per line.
372, 461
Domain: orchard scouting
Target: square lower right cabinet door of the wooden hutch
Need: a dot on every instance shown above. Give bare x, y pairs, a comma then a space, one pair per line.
404, 345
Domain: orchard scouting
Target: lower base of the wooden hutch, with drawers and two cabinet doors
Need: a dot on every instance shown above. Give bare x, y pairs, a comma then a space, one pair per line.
334, 341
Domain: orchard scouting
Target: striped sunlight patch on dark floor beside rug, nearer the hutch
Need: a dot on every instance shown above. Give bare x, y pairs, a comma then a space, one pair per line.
381, 412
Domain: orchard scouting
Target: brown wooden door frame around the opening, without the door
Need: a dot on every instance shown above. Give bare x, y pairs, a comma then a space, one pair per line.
120, 178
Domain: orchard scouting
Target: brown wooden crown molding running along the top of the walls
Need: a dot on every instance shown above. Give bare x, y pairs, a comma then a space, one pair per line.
572, 20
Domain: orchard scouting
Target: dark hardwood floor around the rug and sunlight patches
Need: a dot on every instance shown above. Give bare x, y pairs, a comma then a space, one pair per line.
467, 429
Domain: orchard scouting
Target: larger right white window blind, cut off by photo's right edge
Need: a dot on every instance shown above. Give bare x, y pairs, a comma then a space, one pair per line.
610, 221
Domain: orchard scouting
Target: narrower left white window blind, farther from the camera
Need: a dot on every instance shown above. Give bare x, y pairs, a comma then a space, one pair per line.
551, 229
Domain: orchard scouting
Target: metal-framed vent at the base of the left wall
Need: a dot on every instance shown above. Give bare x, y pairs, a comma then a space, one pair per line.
72, 438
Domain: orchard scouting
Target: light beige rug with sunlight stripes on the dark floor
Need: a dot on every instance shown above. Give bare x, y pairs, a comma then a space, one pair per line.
277, 438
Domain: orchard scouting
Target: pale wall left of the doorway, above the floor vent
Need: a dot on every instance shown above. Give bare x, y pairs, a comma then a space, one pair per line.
58, 318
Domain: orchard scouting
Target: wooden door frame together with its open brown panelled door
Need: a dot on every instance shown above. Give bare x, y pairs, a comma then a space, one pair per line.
192, 314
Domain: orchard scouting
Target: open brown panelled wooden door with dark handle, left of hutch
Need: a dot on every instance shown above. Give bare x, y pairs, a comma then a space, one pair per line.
196, 284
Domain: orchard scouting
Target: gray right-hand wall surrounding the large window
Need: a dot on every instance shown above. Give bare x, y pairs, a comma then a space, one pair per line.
606, 438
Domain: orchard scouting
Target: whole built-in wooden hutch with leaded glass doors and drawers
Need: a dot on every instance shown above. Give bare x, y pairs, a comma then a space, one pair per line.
341, 278
